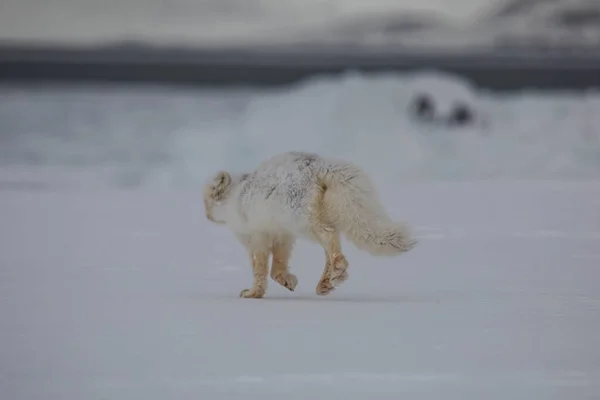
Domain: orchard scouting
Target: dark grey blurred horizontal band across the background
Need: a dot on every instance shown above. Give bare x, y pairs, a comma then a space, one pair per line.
271, 66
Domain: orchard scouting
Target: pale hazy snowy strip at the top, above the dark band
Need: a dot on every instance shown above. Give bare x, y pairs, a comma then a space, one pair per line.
426, 24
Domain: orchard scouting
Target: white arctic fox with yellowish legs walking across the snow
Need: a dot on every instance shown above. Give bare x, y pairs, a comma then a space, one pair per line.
298, 194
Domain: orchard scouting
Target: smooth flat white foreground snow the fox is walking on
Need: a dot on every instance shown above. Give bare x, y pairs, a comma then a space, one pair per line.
133, 295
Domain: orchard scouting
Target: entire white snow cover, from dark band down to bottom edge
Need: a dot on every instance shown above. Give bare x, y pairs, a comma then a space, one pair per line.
113, 285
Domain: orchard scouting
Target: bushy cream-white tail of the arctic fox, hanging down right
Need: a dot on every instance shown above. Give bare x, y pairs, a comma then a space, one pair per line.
353, 204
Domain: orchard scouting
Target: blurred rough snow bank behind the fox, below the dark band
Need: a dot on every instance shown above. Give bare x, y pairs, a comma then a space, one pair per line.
176, 137
